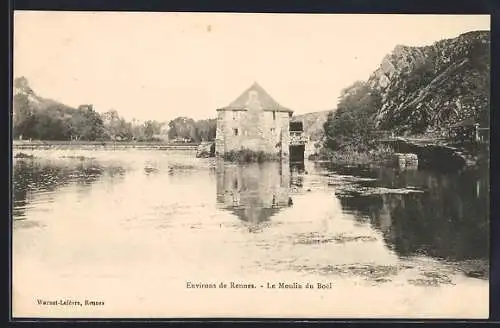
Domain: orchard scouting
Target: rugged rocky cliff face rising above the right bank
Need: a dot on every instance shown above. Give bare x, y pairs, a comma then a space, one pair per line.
426, 89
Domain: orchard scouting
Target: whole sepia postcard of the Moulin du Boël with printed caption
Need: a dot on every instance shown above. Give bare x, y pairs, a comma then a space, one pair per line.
250, 165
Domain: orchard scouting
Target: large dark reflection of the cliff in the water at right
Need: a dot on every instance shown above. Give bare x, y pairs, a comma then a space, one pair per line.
449, 220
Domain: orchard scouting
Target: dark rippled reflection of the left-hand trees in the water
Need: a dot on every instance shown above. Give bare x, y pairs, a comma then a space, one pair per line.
31, 177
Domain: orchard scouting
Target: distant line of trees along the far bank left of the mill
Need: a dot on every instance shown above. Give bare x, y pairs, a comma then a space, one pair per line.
43, 119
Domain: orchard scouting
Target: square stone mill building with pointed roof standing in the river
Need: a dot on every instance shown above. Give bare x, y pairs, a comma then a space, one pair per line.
257, 122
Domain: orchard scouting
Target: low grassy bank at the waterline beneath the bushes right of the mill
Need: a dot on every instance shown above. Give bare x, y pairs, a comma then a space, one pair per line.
379, 155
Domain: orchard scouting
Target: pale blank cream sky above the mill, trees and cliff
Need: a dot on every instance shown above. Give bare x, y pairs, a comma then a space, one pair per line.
163, 65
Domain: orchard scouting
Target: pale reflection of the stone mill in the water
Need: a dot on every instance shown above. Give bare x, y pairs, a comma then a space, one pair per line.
253, 192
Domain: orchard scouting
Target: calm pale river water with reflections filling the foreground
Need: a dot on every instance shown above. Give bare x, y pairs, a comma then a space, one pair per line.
134, 229
